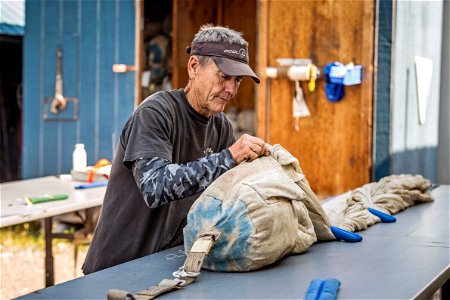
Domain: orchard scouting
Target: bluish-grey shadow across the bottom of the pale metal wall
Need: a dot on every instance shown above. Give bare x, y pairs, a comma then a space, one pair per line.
421, 161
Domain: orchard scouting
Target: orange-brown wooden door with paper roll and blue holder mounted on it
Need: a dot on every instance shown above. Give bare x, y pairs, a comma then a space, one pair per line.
333, 145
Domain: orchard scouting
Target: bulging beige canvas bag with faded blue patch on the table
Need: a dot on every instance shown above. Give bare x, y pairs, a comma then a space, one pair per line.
263, 209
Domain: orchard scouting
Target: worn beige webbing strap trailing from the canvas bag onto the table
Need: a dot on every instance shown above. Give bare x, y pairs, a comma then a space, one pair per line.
183, 276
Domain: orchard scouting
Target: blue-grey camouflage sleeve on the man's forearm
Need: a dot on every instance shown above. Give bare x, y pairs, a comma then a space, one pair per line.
161, 181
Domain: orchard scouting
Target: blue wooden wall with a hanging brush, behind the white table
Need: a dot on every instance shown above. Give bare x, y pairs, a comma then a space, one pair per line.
93, 35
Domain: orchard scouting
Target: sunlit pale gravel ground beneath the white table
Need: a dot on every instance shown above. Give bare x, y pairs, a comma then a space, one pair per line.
22, 268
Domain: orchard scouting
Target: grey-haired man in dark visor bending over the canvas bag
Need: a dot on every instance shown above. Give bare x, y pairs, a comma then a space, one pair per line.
174, 145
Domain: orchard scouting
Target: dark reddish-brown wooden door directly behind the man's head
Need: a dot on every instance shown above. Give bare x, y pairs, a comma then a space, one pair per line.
189, 15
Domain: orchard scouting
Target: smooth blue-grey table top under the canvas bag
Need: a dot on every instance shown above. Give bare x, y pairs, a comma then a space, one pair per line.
406, 259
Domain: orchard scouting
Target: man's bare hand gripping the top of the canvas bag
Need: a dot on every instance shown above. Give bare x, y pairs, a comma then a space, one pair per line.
248, 148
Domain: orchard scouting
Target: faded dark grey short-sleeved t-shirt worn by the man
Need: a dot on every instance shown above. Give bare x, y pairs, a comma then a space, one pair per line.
166, 126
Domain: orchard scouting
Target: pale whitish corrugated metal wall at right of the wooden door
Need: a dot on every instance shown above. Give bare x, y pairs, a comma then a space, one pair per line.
418, 32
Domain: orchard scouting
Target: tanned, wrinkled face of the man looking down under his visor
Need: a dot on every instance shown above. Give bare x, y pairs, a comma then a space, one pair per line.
213, 89
